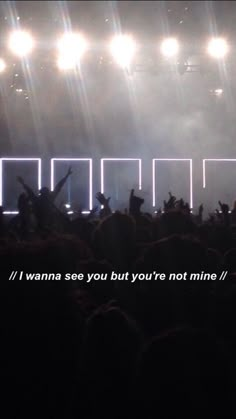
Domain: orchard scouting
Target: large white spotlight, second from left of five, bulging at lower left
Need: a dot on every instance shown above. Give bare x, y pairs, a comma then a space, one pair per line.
71, 47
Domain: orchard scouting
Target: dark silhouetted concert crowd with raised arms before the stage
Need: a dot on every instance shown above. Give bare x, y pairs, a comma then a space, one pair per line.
148, 349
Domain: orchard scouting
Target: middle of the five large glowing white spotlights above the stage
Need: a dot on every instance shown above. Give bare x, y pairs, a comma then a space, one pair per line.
123, 49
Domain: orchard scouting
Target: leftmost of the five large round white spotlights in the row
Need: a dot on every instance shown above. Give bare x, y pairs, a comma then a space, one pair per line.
21, 43
